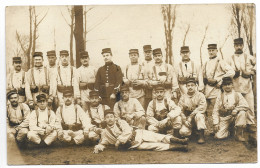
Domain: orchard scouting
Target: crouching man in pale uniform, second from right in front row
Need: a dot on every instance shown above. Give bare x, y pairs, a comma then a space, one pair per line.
193, 105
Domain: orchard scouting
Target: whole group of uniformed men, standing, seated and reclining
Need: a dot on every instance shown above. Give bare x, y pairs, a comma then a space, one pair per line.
148, 105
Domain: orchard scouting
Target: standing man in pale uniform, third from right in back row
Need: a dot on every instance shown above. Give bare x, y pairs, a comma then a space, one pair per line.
187, 68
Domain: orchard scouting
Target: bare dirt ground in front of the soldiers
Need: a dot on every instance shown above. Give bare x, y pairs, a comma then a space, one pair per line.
224, 151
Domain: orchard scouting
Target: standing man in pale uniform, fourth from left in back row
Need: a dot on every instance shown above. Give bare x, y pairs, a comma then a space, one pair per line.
66, 74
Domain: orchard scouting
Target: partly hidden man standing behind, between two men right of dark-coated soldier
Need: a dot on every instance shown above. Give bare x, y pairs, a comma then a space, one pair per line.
147, 69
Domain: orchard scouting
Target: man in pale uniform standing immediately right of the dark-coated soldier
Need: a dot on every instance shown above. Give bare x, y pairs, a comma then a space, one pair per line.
134, 77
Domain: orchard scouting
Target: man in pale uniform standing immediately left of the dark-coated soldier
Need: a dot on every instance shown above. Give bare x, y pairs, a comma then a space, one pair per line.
84, 80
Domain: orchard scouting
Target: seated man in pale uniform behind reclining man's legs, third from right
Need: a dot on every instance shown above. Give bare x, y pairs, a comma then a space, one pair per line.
163, 115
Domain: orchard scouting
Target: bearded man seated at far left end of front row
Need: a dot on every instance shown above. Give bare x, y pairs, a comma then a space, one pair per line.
17, 118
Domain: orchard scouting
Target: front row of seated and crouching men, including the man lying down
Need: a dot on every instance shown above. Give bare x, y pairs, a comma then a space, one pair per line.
168, 124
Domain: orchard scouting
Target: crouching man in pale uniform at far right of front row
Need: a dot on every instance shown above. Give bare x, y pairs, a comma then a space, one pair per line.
230, 107
